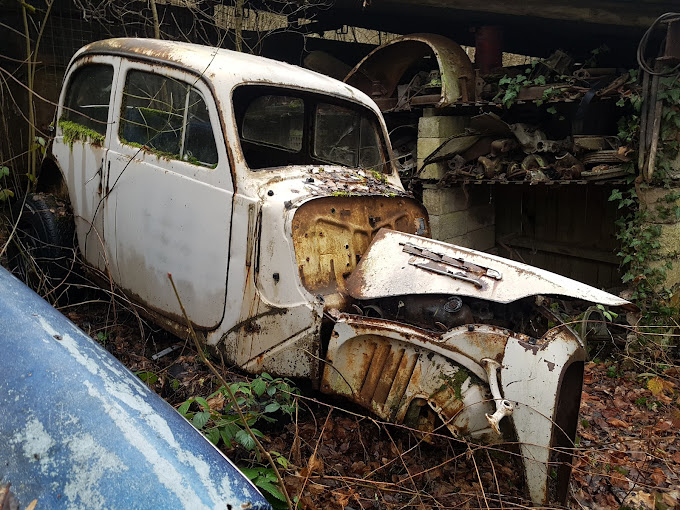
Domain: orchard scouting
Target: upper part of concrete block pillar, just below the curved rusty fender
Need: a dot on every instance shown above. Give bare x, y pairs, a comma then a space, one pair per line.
432, 132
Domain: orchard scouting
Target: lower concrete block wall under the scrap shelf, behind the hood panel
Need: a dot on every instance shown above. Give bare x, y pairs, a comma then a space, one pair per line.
464, 216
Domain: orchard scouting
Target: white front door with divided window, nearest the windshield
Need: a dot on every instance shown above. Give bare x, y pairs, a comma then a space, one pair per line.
169, 194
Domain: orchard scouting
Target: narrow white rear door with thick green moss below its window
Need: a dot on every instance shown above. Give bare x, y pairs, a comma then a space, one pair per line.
80, 147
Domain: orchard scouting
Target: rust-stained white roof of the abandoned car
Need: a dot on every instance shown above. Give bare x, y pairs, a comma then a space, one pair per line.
223, 67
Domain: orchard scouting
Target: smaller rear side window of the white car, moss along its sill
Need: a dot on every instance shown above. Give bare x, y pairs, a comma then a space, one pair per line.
88, 96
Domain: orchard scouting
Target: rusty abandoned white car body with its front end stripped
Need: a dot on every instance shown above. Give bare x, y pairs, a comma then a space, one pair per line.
270, 194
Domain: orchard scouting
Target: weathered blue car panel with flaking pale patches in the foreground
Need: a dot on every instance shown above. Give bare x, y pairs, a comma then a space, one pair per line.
78, 430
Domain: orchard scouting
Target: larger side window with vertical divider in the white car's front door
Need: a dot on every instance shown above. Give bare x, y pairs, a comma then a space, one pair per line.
167, 116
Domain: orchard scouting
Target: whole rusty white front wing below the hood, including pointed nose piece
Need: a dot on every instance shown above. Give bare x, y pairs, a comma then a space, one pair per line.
402, 373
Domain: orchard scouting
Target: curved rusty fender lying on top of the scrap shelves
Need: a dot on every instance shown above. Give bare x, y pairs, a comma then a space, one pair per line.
379, 73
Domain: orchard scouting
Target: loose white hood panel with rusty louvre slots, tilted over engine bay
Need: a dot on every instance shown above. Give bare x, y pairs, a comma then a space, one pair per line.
400, 264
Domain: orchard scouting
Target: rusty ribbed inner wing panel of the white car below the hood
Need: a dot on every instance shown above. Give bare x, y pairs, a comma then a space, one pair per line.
378, 365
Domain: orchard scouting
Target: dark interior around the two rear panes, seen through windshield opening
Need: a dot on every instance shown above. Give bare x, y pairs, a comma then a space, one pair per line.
242, 96
